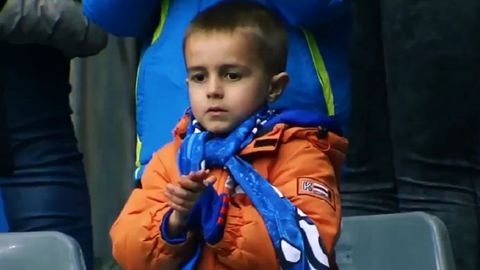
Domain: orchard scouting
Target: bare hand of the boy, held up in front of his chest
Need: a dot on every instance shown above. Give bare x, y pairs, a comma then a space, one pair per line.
184, 196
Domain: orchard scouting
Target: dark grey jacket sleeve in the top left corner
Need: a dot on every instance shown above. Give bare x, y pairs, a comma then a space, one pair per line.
59, 23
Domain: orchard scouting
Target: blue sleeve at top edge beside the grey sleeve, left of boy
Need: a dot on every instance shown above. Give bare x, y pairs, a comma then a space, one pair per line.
123, 17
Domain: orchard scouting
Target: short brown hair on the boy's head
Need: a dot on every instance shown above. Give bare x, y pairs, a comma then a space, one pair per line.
228, 16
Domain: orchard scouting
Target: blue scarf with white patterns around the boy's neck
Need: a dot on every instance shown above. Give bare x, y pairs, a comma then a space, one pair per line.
293, 234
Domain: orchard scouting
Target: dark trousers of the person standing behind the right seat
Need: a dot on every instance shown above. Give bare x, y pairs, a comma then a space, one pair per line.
415, 131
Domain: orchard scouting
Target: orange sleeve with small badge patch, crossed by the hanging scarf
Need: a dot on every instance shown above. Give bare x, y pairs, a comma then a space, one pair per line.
245, 236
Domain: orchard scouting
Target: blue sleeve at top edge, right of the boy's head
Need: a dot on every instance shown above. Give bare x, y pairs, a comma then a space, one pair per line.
308, 13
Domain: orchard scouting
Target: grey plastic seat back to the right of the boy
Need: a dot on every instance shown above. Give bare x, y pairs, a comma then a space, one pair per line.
413, 241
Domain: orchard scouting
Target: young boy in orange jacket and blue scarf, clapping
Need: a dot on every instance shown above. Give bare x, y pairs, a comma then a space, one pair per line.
240, 187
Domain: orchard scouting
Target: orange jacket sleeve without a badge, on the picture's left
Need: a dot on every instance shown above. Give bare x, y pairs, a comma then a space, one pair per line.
136, 236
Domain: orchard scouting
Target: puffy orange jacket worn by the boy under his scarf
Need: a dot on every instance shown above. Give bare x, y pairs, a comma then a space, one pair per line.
291, 158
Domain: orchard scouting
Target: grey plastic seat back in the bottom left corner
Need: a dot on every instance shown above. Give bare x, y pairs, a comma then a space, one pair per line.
39, 251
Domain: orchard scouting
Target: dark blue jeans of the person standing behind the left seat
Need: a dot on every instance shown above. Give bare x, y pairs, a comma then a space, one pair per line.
43, 183
